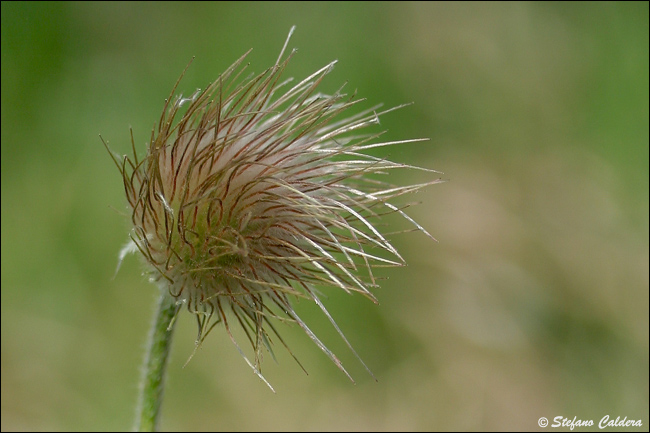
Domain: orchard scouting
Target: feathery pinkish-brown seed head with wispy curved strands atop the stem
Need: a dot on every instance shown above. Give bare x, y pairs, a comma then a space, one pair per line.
254, 191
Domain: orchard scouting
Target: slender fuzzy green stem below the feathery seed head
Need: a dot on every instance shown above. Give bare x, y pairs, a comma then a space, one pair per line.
153, 374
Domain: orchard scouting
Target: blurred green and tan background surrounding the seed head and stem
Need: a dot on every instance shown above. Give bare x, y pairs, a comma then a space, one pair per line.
533, 303
